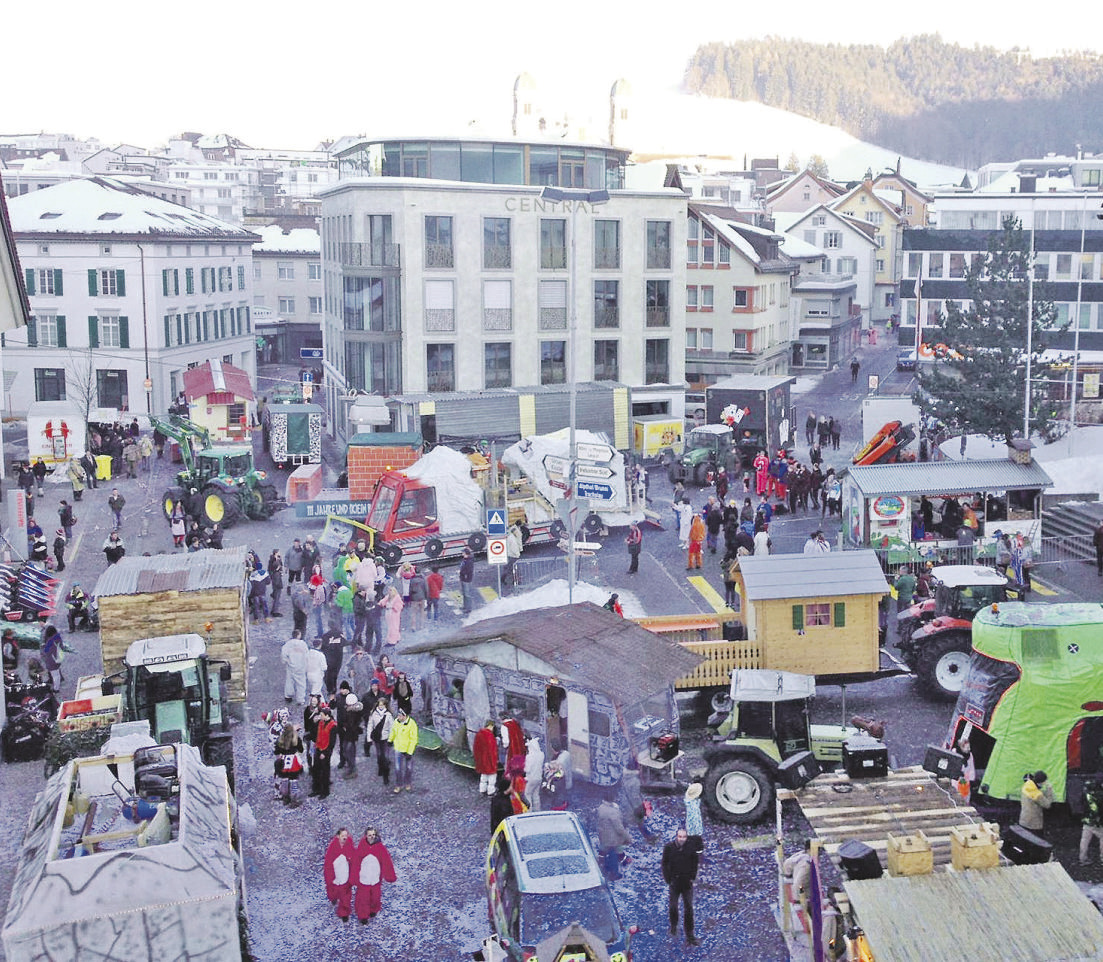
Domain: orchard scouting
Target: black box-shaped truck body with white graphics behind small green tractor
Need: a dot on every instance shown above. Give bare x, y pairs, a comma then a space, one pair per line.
759, 411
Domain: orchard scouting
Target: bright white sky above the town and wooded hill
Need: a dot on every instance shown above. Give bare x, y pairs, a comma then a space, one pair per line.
287, 76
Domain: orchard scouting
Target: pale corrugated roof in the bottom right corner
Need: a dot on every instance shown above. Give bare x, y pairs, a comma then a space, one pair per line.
1015, 914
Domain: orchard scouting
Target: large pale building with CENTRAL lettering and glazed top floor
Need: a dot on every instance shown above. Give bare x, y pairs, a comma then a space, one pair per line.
469, 285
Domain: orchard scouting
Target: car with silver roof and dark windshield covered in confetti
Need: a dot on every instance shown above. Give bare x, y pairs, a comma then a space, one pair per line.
543, 875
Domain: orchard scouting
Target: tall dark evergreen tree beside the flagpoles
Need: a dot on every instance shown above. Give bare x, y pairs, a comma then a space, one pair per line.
978, 387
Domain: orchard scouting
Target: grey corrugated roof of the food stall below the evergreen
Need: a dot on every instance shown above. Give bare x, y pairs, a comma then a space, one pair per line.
935, 478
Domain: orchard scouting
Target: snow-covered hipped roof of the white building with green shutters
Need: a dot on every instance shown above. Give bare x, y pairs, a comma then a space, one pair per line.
104, 206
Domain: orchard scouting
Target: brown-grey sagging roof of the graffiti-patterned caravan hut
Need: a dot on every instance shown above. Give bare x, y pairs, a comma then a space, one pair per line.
584, 644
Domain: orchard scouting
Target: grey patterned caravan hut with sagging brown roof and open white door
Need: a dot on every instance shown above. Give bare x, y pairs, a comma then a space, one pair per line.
576, 676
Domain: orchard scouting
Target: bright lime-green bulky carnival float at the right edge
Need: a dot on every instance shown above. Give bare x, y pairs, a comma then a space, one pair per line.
1034, 699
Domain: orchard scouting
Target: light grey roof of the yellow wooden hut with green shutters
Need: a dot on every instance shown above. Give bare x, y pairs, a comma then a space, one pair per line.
770, 578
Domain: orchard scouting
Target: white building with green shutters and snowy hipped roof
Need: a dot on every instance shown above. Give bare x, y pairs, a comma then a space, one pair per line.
127, 292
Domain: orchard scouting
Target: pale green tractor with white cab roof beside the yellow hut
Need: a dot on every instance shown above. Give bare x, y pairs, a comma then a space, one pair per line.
768, 722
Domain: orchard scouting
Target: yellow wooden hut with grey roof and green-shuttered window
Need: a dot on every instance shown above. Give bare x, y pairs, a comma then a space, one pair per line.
813, 615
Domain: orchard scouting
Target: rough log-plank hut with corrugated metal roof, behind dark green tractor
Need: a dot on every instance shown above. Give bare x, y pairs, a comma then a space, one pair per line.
151, 597
